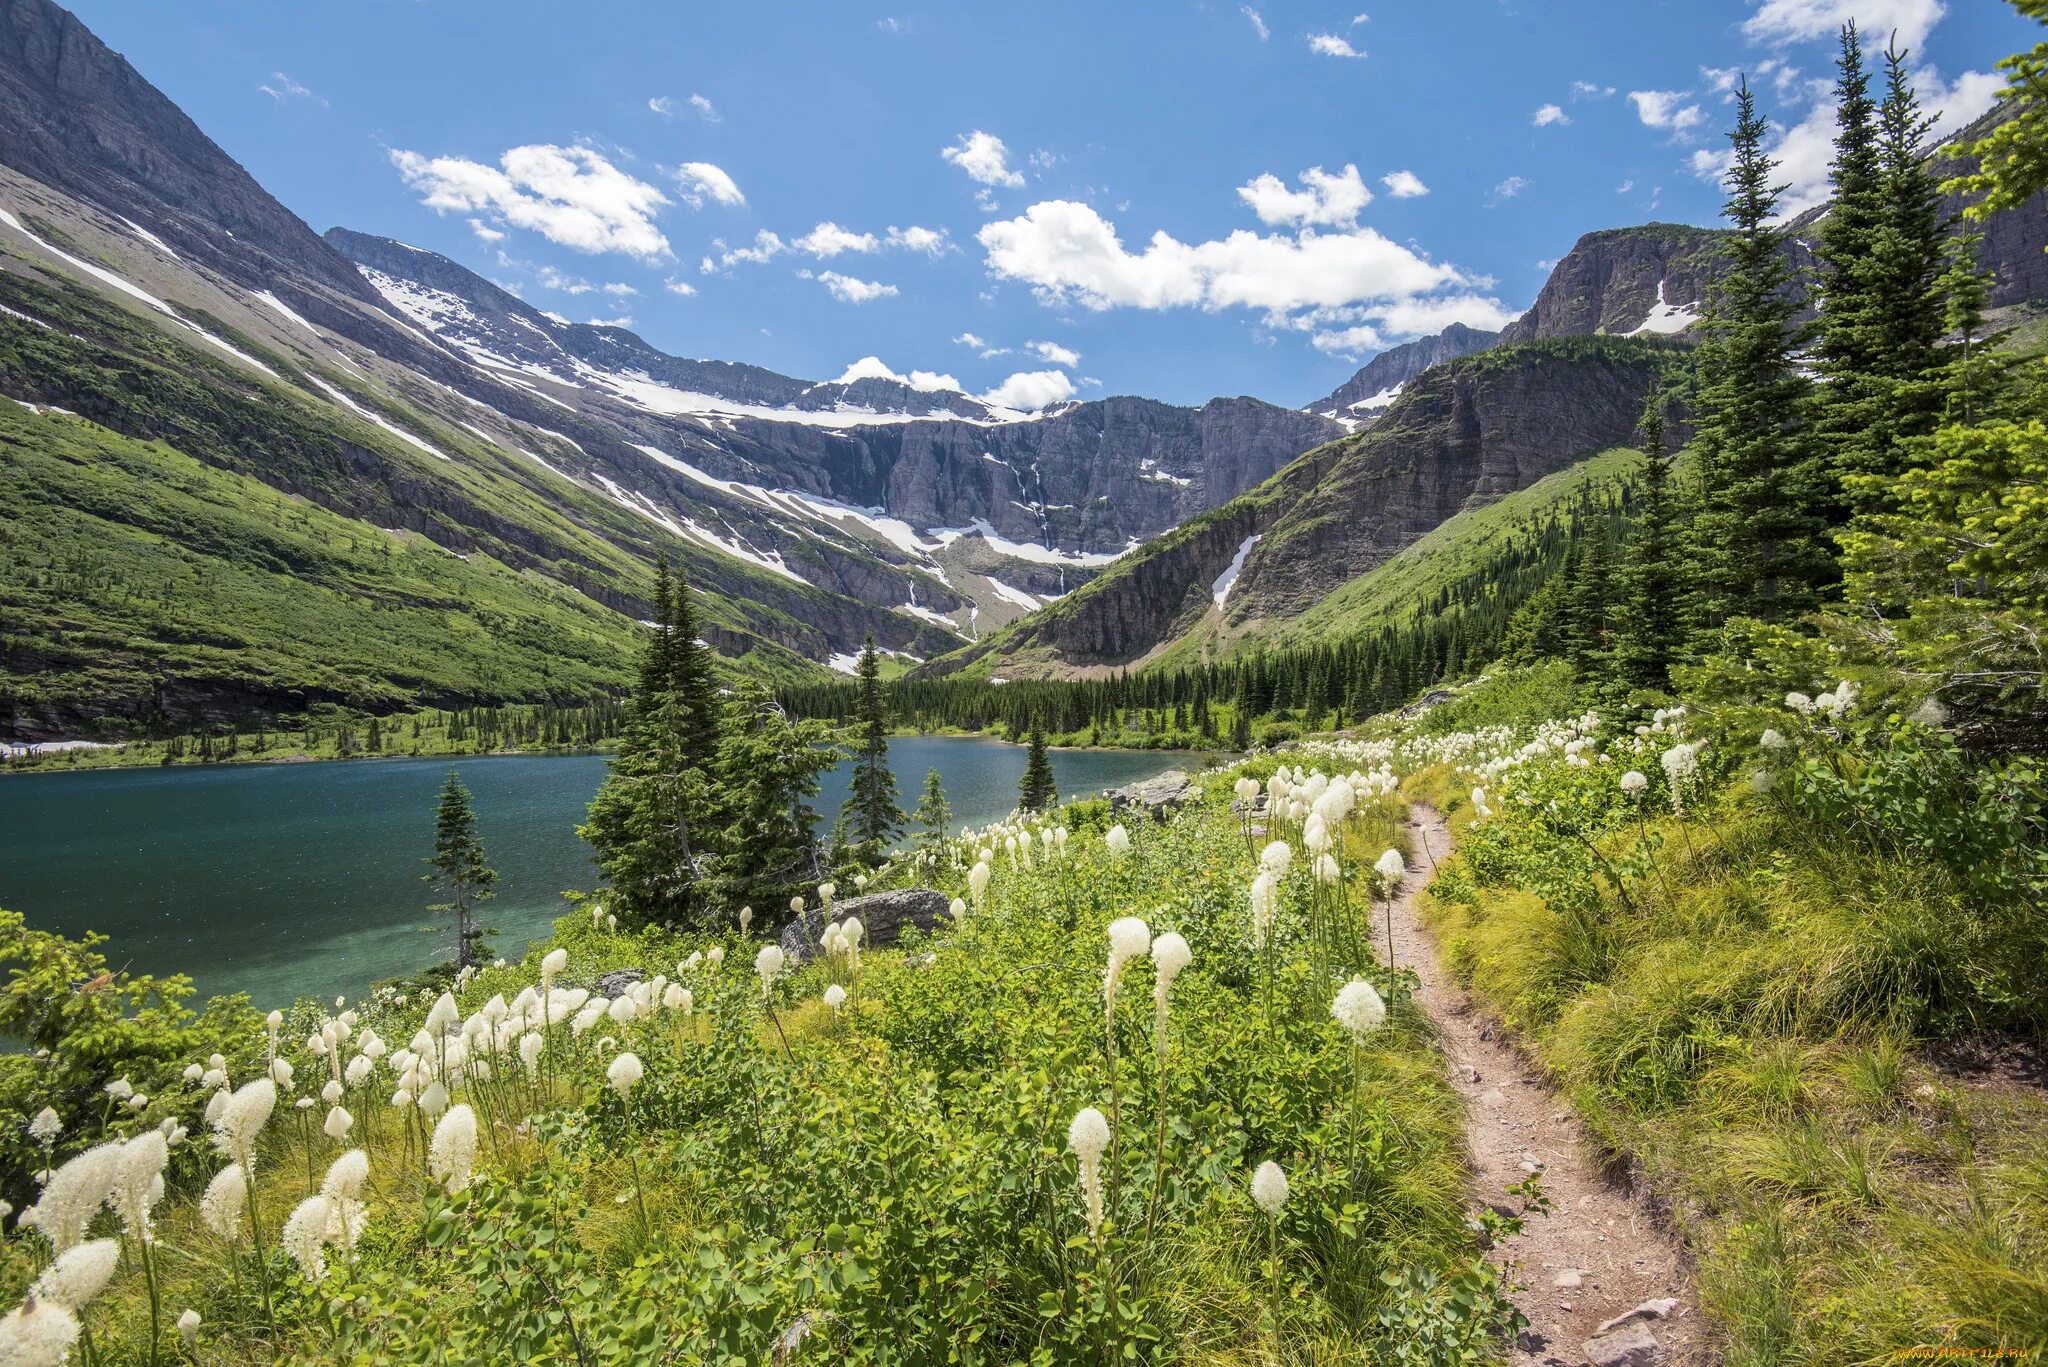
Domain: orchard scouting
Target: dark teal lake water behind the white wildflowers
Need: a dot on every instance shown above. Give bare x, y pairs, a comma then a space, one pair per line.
304, 880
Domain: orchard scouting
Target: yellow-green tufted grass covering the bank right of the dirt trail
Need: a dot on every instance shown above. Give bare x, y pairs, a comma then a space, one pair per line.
1758, 1030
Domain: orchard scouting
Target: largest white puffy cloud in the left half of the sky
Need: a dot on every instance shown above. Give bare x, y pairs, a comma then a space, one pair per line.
568, 196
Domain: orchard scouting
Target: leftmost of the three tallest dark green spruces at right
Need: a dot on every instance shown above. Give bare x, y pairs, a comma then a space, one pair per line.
1760, 542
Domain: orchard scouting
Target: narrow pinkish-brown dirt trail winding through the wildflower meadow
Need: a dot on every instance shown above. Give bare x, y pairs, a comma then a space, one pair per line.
1601, 1253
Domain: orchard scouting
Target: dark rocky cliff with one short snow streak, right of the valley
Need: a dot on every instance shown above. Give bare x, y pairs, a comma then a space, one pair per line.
1459, 438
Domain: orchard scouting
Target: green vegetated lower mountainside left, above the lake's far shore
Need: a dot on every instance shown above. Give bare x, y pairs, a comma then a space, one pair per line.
194, 544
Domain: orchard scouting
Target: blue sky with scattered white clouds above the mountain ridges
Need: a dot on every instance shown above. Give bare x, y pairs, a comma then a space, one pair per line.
1031, 202
